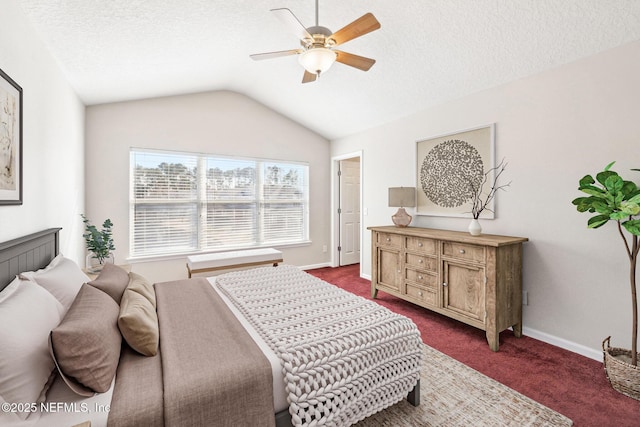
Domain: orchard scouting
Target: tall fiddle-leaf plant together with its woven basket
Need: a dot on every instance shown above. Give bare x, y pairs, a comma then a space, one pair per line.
611, 198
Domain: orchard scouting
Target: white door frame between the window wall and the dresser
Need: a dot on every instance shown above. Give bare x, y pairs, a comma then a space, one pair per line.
335, 203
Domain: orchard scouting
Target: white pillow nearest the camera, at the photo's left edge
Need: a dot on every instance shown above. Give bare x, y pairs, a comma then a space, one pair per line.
27, 317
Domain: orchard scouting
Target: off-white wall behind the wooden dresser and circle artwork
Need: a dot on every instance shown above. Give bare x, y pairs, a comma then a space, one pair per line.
552, 128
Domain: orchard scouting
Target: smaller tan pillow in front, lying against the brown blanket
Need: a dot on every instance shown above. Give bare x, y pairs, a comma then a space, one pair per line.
138, 320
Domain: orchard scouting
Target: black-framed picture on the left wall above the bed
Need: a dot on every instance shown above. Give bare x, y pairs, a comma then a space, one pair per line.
10, 141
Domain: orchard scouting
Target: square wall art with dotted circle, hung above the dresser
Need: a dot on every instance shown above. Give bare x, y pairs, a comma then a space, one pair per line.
449, 166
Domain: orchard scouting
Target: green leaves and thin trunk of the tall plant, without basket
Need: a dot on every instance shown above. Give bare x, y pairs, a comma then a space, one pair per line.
613, 199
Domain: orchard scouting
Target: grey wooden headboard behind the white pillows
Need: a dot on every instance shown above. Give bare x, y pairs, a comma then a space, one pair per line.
27, 253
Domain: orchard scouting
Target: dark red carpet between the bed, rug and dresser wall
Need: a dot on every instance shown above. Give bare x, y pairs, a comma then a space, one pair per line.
567, 382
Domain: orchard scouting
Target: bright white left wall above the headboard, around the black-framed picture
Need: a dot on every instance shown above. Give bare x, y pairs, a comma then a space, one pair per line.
53, 138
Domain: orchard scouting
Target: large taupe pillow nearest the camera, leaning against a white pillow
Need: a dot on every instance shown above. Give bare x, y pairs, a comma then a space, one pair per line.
86, 345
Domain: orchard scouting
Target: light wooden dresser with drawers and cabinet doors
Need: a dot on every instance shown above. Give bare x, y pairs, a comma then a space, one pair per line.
474, 279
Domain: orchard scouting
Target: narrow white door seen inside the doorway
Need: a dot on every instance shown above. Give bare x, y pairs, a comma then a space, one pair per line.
349, 211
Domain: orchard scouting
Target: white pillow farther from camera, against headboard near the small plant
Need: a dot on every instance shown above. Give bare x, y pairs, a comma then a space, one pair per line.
62, 277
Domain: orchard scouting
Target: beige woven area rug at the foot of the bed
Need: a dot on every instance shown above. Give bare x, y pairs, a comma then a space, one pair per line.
452, 394
